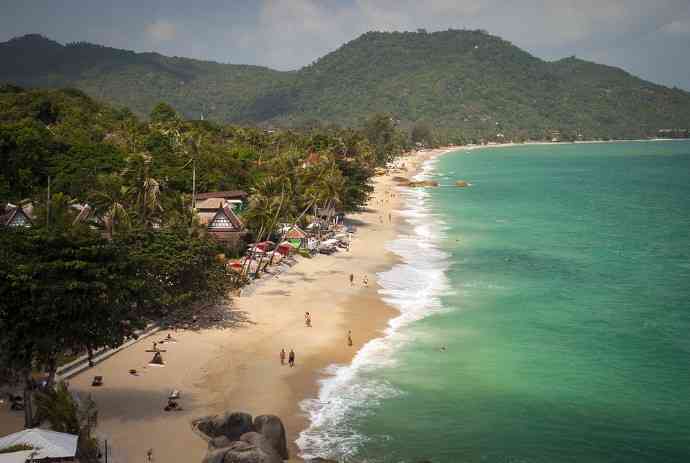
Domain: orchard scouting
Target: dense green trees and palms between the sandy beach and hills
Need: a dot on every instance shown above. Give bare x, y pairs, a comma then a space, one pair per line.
83, 278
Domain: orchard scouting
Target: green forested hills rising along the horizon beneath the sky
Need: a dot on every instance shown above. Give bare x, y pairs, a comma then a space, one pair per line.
460, 82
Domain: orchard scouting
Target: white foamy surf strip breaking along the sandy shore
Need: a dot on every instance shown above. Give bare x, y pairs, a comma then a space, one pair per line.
413, 287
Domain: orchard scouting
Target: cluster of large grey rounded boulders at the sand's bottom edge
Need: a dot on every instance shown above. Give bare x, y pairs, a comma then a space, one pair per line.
236, 438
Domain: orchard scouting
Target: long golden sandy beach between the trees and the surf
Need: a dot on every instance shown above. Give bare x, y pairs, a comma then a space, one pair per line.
237, 368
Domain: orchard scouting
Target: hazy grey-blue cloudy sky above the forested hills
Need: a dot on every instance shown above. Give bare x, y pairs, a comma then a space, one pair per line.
648, 38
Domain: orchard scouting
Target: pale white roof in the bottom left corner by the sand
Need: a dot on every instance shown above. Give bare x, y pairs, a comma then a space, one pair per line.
45, 446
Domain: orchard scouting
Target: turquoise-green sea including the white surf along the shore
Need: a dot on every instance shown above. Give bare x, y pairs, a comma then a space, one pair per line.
559, 285
